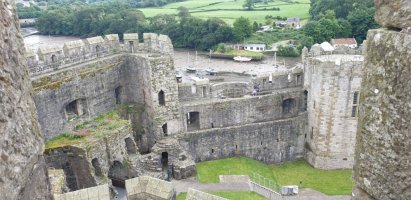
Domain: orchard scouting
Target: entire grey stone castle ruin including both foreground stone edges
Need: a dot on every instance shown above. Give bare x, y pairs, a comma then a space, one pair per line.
162, 127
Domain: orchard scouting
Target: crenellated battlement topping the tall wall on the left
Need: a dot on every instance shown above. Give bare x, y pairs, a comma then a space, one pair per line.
53, 57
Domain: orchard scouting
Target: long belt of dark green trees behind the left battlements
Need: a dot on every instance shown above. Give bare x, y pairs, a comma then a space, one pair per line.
185, 30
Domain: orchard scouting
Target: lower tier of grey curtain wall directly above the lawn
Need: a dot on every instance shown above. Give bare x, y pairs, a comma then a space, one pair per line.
270, 142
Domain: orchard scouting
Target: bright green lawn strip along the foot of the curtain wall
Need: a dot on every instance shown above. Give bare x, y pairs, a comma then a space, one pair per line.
331, 182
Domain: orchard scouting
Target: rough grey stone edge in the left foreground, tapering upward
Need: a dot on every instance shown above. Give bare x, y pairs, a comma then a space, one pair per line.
22, 167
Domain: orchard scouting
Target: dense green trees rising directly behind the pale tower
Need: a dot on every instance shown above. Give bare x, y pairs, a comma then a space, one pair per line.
340, 18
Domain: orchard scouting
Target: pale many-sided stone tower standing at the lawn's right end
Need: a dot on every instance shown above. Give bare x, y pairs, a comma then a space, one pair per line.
332, 82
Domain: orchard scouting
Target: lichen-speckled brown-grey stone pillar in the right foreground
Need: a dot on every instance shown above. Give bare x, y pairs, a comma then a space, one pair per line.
383, 151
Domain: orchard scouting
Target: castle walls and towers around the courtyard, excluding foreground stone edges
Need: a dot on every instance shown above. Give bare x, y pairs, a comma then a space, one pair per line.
138, 119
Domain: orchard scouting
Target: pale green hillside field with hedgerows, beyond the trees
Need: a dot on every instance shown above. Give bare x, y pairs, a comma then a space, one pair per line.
229, 10
